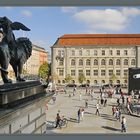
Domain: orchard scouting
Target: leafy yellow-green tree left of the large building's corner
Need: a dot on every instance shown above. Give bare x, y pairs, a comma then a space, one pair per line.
44, 70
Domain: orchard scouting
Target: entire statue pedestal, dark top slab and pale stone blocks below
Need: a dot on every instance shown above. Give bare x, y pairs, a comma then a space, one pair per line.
23, 108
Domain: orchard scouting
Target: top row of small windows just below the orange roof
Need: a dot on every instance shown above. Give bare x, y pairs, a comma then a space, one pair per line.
96, 52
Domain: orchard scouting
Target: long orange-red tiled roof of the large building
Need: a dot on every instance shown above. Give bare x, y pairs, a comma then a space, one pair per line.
98, 39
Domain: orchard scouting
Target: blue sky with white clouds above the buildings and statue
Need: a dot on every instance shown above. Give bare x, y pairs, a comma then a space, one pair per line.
49, 23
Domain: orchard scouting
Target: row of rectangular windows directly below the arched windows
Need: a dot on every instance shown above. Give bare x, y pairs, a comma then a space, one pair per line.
95, 72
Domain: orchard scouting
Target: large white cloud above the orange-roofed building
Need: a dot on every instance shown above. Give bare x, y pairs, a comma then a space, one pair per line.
108, 19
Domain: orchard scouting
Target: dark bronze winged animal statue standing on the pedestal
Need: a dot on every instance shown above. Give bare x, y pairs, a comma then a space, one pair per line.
18, 50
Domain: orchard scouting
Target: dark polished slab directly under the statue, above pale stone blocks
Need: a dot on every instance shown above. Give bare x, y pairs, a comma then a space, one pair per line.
18, 93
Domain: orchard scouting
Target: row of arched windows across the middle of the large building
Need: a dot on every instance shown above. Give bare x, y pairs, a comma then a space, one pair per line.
103, 62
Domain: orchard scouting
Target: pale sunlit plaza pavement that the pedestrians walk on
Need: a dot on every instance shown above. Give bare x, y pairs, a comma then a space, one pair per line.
105, 123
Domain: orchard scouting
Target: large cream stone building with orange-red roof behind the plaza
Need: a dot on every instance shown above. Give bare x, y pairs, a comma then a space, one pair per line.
102, 58
